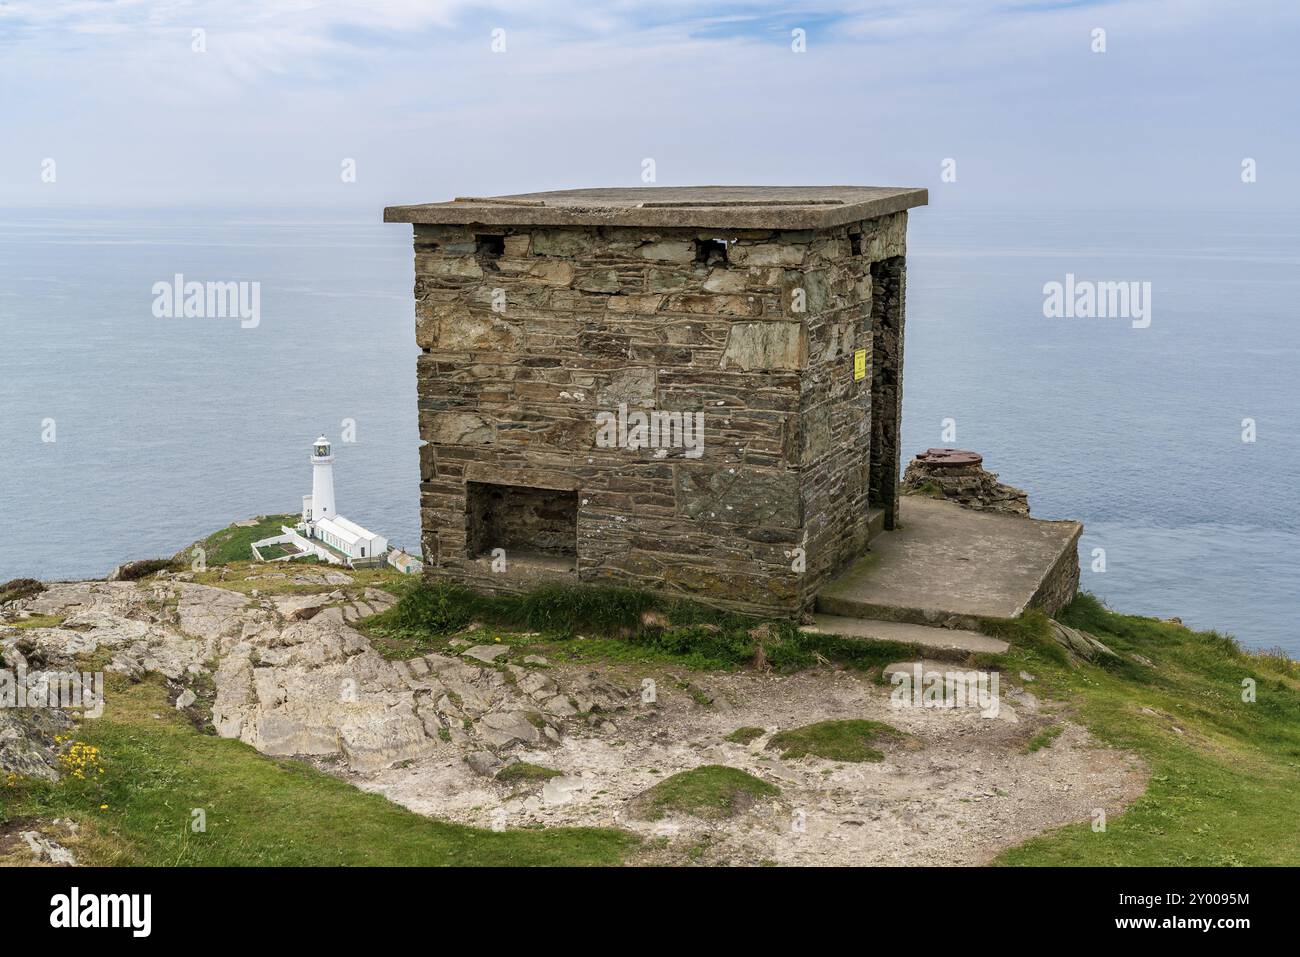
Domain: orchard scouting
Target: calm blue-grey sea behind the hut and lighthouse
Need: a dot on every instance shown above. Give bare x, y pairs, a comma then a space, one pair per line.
168, 430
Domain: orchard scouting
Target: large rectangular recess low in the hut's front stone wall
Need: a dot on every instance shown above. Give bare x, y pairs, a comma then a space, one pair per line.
531, 525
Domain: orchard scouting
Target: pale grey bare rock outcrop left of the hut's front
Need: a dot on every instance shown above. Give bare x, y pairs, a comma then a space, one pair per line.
292, 677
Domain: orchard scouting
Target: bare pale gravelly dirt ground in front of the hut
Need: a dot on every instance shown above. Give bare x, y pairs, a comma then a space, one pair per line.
960, 790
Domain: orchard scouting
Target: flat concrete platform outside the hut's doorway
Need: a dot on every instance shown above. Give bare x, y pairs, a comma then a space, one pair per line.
950, 566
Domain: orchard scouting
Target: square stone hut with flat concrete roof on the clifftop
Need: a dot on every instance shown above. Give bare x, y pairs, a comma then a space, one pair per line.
690, 389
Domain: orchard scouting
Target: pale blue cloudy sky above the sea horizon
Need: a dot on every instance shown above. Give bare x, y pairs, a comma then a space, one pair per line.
267, 103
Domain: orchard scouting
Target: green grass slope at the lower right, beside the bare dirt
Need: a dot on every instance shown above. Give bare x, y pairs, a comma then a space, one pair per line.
1224, 791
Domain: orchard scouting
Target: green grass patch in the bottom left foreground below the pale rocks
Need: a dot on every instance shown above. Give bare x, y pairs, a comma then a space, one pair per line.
259, 811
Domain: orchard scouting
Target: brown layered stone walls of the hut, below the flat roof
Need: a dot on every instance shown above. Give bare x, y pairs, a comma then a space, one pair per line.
528, 335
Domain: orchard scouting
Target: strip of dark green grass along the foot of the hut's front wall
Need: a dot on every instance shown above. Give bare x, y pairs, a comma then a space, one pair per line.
613, 623
